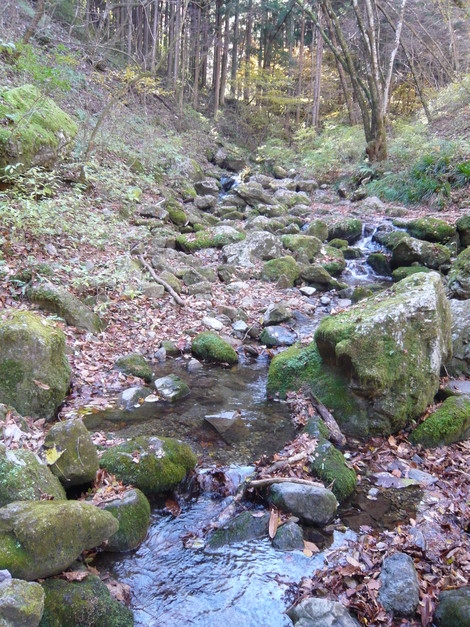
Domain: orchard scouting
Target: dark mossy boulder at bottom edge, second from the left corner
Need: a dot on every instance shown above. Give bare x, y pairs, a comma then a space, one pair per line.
86, 603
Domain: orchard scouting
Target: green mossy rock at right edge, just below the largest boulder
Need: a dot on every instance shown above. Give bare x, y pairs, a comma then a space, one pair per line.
450, 423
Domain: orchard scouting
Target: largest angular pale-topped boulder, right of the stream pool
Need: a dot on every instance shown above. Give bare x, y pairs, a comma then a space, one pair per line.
391, 348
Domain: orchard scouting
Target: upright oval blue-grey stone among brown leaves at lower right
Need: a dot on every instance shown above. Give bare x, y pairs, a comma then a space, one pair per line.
399, 593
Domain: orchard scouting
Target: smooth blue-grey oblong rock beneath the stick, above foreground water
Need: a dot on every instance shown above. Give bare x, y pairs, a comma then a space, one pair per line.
313, 505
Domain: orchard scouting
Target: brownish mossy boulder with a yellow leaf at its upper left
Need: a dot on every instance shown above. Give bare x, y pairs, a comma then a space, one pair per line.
78, 461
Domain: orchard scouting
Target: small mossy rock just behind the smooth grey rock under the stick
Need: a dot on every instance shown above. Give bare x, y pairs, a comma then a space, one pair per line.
330, 465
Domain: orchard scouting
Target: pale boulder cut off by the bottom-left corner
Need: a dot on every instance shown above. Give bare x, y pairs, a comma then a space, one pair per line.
21, 603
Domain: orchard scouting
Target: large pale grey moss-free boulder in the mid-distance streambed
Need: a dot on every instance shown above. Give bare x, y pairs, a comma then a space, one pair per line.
258, 246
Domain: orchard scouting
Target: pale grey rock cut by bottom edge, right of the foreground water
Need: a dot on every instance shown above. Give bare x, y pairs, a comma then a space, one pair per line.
321, 613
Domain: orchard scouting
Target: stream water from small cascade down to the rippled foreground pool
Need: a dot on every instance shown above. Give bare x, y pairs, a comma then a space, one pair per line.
174, 578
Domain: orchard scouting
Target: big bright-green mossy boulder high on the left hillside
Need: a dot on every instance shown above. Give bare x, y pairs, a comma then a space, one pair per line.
33, 129
